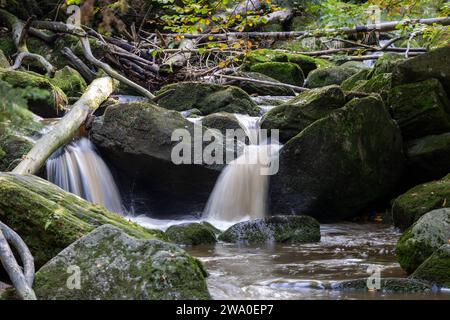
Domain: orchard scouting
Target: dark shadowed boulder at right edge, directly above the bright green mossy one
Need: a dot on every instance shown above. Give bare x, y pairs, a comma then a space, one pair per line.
428, 158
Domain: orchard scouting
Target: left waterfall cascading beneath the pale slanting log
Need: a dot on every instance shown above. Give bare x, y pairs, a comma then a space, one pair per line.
77, 168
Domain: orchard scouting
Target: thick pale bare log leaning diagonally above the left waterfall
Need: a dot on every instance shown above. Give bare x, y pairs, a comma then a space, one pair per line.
97, 92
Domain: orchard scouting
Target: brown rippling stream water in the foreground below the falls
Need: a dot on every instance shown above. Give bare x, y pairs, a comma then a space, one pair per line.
299, 271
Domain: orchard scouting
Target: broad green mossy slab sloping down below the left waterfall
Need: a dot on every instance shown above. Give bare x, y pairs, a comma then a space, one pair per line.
49, 218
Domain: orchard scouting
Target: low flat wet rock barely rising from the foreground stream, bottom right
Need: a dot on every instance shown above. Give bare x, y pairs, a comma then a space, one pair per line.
398, 285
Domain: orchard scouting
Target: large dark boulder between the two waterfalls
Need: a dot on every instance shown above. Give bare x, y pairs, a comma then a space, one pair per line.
136, 140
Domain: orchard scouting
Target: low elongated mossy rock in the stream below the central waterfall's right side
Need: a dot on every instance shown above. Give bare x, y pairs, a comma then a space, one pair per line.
279, 229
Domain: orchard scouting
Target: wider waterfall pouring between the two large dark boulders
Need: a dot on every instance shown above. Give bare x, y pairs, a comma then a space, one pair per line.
241, 190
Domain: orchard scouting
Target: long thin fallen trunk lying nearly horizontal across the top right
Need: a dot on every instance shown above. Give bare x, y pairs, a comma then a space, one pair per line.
380, 27
